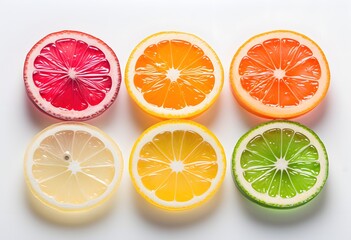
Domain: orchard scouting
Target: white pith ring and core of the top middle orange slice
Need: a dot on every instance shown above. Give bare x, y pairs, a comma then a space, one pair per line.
188, 110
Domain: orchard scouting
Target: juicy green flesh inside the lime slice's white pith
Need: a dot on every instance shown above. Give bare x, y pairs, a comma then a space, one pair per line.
280, 162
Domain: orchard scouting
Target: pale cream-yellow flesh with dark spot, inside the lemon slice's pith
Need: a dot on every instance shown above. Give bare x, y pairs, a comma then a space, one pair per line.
73, 167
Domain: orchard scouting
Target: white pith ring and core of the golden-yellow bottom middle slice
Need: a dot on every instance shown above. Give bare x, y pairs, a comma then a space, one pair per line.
148, 136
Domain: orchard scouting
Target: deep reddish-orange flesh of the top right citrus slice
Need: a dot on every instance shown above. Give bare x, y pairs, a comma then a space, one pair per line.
280, 72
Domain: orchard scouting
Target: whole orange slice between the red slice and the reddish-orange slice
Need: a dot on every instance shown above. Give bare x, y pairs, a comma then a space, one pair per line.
174, 75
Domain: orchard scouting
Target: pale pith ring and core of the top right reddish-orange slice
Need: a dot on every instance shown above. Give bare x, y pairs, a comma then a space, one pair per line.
274, 111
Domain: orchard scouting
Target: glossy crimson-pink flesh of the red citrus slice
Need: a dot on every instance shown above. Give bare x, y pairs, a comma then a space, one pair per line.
71, 74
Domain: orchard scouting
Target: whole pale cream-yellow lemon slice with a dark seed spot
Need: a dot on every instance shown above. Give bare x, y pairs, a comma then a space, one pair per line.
72, 166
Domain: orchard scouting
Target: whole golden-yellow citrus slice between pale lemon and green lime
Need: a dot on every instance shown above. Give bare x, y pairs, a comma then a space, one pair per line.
177, 164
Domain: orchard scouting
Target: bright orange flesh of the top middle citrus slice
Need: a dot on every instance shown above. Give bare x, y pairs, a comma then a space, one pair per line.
192, 77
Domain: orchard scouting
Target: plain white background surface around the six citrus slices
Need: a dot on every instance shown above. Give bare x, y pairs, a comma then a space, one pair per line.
225, 25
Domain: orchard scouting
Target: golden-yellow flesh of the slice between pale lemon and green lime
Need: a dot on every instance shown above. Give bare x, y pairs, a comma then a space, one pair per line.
177, 165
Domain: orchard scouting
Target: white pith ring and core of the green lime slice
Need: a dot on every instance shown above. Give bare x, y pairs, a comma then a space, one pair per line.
278, 200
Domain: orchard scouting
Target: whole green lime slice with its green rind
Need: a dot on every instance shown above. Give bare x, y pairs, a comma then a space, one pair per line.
280, 164
